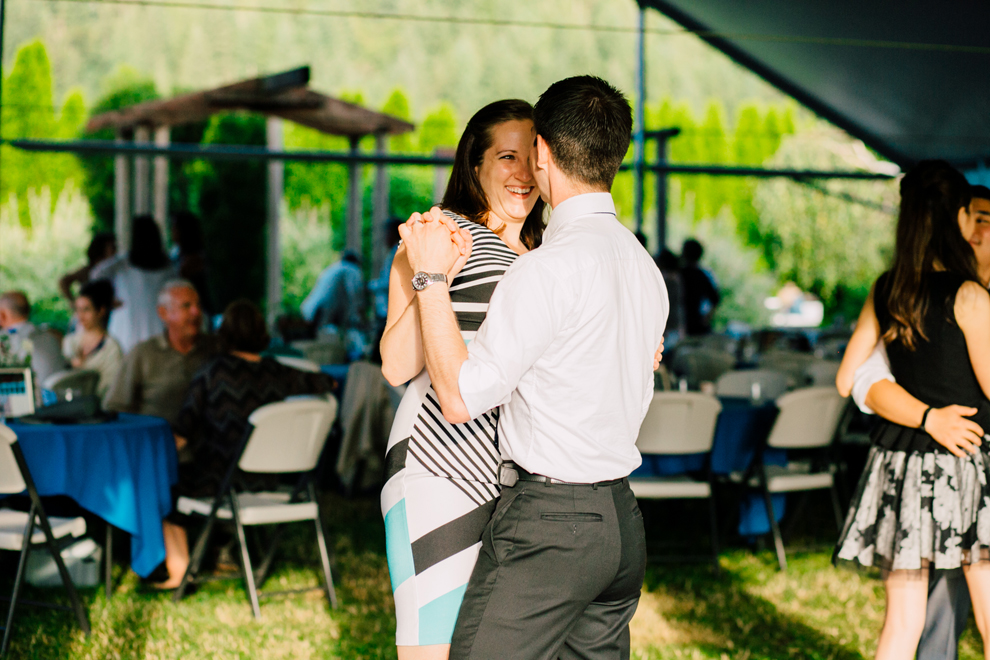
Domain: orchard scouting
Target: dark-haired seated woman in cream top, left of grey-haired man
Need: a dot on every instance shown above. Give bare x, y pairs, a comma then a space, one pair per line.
90, 347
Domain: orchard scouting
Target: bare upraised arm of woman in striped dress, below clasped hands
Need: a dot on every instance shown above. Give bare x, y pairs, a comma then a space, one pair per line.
402, 342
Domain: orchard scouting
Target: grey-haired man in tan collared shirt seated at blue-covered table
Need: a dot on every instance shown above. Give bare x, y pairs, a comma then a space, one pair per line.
156, 373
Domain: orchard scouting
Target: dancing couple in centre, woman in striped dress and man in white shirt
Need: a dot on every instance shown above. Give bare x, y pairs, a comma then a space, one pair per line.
511, 530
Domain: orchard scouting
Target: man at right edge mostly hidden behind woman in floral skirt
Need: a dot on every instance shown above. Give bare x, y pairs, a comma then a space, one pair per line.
948, 596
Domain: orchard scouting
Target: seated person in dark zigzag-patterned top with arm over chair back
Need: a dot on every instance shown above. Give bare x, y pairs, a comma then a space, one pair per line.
214, 417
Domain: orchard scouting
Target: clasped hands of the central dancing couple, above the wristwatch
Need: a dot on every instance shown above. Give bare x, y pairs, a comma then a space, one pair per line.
435, 244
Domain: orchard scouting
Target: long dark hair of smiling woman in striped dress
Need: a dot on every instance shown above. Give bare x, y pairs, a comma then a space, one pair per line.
464, 194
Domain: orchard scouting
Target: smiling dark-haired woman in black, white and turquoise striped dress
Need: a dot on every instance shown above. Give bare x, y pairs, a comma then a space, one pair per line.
441, 483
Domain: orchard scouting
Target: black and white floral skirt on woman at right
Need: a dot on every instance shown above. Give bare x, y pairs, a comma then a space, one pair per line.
915, 510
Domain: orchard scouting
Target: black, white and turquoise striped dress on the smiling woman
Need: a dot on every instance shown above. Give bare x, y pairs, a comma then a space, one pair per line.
441, 481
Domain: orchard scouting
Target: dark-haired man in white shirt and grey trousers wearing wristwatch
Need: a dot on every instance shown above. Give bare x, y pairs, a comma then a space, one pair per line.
566, 352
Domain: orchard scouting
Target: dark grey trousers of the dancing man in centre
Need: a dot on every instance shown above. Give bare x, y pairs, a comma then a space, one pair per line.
558, 576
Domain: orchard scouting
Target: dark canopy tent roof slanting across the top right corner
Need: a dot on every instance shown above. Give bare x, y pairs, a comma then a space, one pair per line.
907, 78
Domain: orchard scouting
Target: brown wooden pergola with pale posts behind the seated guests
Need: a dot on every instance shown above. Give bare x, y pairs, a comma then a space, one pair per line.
141, 182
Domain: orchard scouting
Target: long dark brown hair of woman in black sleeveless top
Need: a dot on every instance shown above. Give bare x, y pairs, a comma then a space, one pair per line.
927, 236
